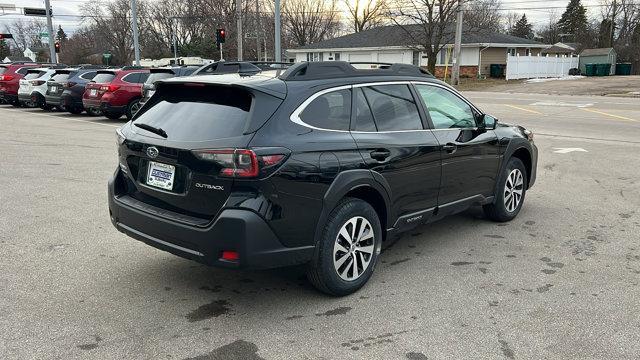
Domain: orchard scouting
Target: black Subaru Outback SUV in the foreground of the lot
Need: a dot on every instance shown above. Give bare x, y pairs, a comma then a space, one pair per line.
322, 164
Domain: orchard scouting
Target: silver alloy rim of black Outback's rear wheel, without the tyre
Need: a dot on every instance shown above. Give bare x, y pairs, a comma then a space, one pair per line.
353, 248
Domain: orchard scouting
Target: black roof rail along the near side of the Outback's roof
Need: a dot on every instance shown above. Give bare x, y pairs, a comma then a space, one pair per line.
318, 70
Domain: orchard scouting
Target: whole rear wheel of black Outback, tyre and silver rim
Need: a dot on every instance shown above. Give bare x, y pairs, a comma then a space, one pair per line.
348, 250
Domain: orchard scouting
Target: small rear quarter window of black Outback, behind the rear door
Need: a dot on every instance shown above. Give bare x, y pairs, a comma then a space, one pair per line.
329, 111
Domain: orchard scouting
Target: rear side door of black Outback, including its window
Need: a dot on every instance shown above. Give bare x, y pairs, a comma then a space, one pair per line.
390, 133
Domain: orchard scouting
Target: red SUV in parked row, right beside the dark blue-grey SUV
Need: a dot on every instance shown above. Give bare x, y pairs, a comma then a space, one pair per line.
115, 92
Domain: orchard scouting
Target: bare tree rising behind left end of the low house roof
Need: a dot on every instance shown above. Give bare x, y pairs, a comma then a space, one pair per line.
310, 21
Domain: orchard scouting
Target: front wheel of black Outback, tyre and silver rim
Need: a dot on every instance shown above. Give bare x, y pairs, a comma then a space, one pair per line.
512, 188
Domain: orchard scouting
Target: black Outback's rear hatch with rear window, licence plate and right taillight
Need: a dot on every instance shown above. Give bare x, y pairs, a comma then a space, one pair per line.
187, 146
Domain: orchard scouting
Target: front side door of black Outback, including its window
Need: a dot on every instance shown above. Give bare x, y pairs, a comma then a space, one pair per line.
470, 153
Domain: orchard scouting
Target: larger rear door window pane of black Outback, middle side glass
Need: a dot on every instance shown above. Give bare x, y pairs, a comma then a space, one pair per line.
393, 107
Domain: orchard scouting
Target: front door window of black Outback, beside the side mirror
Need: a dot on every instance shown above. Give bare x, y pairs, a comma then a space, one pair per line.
445, 108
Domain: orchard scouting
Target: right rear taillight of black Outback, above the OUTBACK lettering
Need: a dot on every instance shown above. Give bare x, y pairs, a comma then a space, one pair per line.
240, 163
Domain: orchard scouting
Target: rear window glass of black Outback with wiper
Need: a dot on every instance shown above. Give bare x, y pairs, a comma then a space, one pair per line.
198, 113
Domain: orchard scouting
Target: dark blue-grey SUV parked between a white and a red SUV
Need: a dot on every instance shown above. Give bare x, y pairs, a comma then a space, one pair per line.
66, 87
